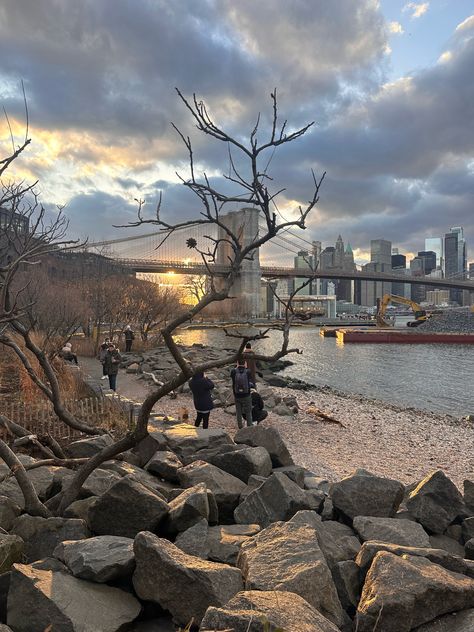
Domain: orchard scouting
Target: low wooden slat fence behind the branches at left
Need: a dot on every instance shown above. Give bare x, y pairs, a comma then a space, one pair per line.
110, 412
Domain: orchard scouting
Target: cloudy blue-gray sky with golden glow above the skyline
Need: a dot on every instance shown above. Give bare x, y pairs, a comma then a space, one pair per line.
389, 85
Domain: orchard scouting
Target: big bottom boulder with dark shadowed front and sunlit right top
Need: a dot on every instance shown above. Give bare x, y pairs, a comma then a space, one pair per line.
182, 584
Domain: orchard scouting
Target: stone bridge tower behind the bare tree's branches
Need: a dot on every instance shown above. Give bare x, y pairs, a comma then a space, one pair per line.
246, 289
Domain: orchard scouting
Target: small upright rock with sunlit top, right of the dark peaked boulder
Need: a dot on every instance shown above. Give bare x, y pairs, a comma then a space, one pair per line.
190, 507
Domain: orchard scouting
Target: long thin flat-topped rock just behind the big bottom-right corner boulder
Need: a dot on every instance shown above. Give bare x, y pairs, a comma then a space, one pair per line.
441, 557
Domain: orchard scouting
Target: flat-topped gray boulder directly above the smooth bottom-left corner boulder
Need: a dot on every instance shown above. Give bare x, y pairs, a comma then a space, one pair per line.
101, 559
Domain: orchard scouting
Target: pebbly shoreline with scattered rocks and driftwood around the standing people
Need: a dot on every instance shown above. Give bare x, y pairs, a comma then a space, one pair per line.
389, 440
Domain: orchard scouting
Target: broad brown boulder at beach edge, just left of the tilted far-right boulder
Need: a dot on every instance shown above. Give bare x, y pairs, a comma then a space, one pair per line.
364, 494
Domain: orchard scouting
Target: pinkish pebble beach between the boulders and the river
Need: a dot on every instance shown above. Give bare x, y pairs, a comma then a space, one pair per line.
389, 440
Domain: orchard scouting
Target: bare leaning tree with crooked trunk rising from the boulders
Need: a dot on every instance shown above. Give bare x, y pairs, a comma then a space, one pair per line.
252, 189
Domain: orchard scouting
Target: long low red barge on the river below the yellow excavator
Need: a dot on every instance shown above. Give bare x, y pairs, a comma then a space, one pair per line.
401, 336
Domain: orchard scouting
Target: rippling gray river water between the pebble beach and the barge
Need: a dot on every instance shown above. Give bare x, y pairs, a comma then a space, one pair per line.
438, 378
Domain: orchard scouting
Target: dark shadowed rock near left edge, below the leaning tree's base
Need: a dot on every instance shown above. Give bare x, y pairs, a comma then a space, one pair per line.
42, 535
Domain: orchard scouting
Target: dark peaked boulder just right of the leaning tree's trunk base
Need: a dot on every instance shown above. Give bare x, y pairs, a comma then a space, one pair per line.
127, 508
